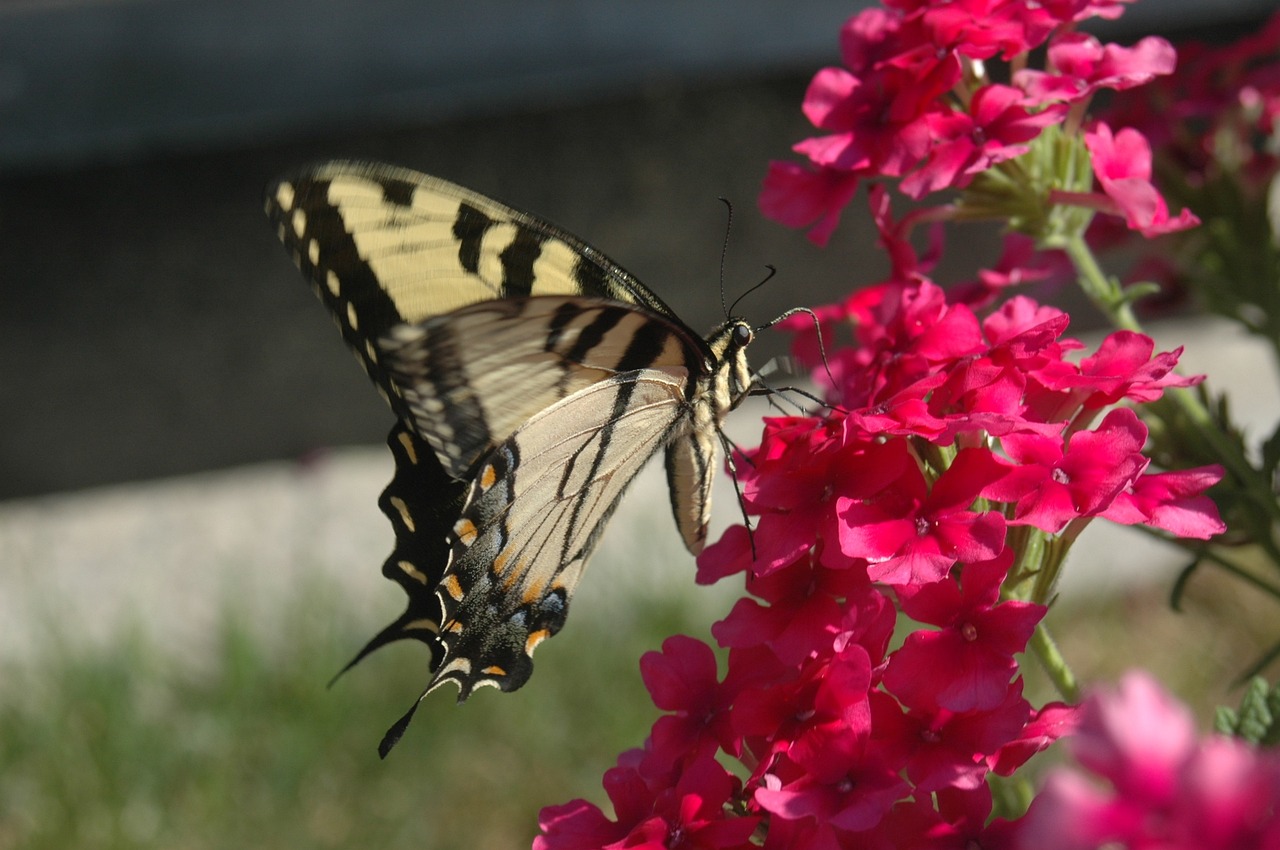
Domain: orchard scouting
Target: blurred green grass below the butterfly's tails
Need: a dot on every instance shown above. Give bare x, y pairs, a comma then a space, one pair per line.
135, 744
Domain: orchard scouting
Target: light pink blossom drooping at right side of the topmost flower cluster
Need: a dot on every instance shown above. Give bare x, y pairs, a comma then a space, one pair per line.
1123, 166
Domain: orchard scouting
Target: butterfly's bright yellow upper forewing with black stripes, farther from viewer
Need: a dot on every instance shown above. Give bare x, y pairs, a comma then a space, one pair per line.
431, 246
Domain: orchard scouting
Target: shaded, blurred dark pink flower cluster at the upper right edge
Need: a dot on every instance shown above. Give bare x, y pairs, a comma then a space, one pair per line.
1214, 131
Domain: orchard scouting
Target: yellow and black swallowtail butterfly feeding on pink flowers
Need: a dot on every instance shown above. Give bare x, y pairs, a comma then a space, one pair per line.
532, 380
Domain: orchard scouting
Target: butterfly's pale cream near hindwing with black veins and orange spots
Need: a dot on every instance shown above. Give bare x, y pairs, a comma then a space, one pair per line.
534, 517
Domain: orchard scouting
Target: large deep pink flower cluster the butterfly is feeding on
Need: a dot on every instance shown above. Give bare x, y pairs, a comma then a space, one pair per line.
892, 515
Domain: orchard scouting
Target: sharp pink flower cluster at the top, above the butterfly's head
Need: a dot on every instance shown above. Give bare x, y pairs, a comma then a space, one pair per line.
915, 102
